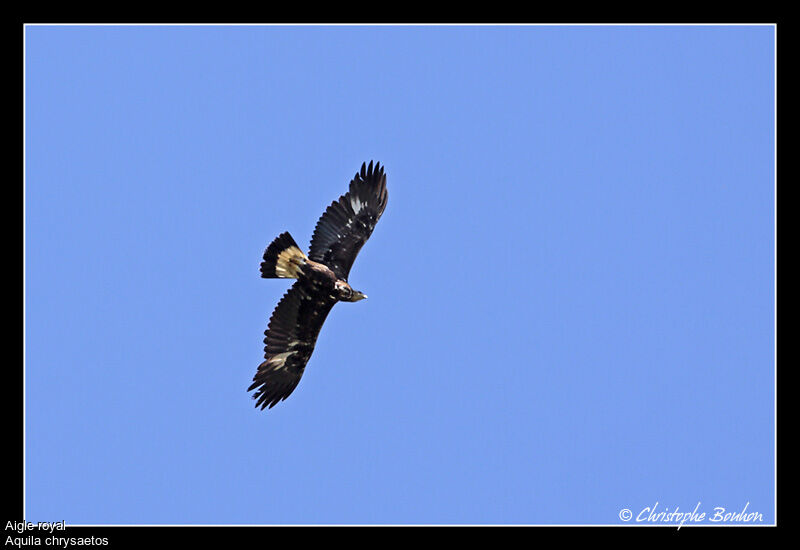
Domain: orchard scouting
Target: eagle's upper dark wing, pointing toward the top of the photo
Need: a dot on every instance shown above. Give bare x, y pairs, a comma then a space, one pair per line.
347, 223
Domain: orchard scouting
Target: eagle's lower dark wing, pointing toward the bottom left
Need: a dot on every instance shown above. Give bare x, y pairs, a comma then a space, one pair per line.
290, 339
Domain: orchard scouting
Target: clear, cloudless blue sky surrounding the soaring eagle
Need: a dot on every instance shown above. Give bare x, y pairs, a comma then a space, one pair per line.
570, 294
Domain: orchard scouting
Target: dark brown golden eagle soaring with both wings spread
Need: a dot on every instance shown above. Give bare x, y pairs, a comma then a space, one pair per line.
321, 282
